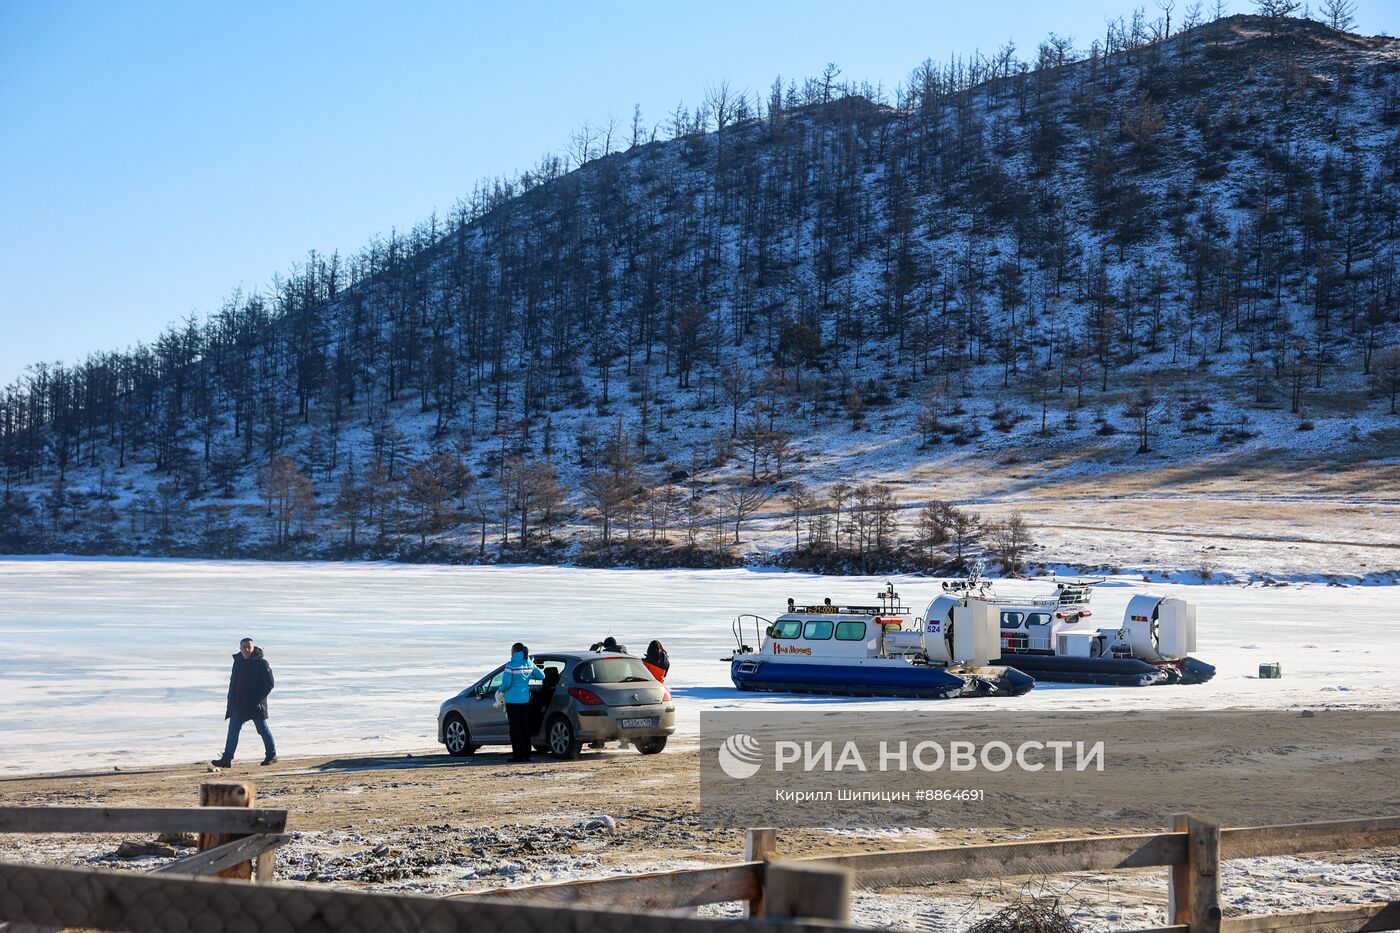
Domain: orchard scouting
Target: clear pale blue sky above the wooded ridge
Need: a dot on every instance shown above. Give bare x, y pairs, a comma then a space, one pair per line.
156, 156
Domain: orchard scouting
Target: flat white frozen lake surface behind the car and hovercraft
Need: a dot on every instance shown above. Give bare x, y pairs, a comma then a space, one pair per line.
124, 663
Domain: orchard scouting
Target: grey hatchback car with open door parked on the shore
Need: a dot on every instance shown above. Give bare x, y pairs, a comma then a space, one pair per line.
586, 698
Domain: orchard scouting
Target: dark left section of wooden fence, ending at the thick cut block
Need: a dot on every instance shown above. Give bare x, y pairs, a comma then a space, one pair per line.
234, 836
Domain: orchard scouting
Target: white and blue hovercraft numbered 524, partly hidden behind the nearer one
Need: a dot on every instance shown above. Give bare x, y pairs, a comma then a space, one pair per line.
1051, 638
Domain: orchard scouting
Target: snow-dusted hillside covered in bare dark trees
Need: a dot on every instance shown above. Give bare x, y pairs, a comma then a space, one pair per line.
1161, 268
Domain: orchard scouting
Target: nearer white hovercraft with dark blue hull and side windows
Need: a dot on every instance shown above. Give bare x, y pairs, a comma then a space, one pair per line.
867, 651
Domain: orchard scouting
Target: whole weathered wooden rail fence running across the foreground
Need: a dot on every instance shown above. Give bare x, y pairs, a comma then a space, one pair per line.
796, 896
